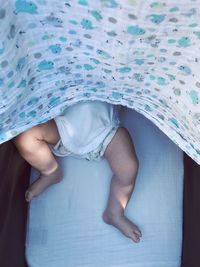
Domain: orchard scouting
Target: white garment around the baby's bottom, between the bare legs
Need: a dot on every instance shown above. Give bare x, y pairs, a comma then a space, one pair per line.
86, 129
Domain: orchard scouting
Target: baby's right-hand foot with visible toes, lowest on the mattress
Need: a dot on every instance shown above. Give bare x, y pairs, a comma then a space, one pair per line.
128, 228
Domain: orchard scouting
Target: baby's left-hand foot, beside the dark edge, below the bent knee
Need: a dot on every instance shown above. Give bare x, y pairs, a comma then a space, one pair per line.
44, 181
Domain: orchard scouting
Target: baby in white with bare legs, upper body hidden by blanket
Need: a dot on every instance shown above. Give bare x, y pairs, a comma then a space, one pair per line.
90, 130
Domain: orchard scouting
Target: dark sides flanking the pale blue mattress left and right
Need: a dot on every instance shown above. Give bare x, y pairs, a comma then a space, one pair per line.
14, 173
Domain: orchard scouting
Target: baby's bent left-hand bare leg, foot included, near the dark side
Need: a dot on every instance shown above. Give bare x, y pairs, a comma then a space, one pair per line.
33, 147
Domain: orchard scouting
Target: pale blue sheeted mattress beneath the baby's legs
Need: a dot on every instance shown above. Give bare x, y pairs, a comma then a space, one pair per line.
65, 226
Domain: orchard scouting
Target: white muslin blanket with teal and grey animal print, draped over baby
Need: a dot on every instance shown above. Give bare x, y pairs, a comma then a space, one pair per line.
141, 54
